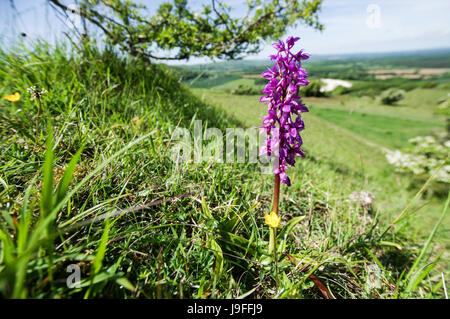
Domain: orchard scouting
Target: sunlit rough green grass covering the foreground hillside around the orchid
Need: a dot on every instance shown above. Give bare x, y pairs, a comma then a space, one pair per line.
95, 186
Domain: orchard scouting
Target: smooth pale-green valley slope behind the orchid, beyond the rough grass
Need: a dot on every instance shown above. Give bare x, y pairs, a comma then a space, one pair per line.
348, 136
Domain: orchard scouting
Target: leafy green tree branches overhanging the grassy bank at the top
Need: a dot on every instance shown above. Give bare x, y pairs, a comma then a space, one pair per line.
211, 31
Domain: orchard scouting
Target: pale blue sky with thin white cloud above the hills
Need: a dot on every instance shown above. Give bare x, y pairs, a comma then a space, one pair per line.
351, 26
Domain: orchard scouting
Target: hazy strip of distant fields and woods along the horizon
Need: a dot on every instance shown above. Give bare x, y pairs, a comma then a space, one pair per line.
429, 65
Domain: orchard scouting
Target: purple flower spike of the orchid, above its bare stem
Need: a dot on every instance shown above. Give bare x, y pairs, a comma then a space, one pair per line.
281, 96
